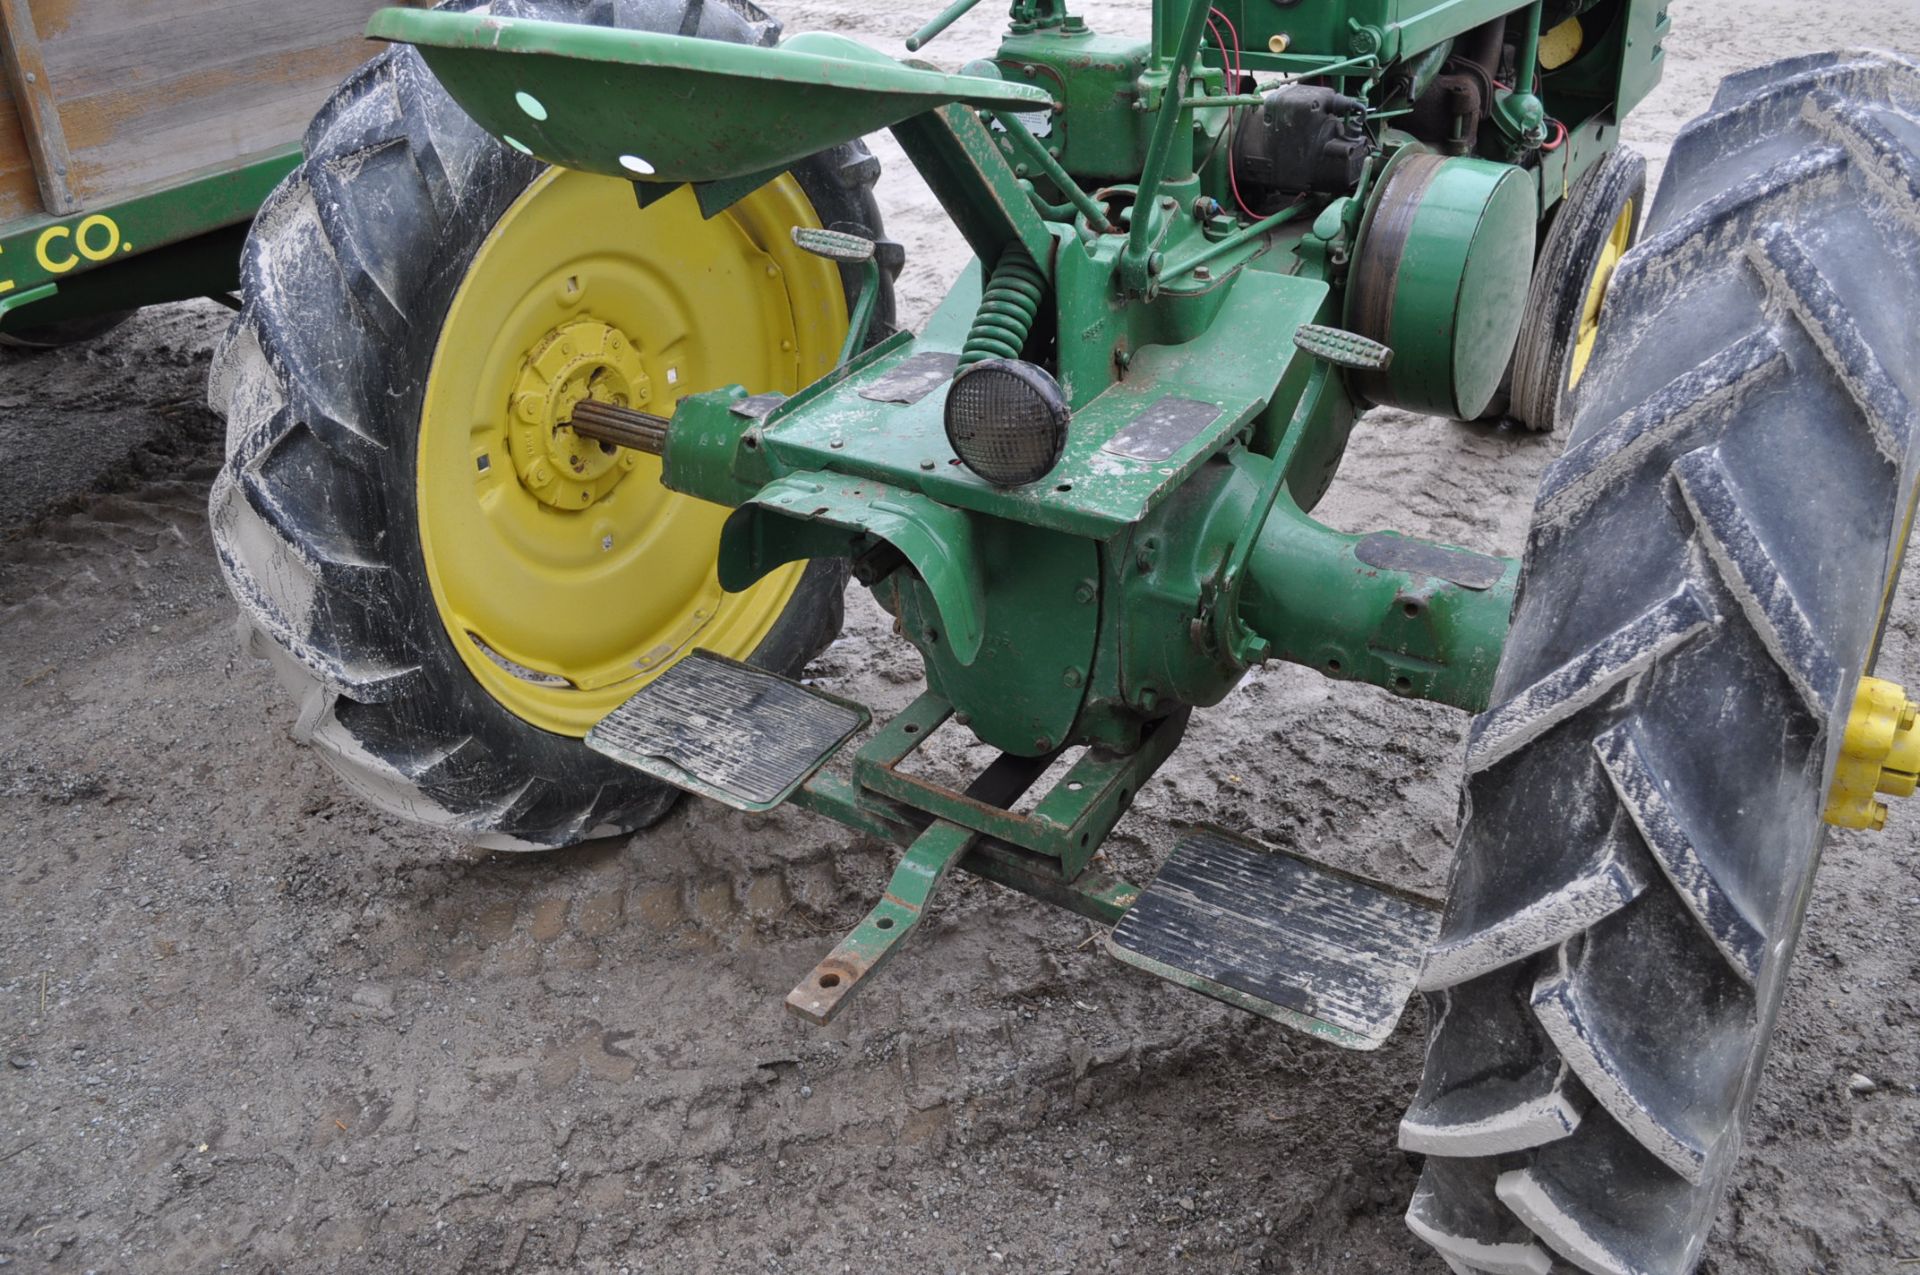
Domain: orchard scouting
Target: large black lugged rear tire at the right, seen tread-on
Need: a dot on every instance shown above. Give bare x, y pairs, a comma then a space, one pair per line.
1706, 583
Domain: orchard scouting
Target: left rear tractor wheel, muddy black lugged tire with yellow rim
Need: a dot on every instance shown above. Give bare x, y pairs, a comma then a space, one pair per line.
450, 581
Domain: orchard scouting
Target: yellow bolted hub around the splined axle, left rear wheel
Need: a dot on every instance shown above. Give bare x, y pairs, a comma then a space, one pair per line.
577, 362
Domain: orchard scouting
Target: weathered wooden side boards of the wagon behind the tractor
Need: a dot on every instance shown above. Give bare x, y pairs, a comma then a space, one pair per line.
155, 91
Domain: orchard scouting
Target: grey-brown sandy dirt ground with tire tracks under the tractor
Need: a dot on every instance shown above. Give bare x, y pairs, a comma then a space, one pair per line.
249, 1024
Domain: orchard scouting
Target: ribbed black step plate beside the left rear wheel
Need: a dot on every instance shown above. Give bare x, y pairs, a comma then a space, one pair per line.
727, 731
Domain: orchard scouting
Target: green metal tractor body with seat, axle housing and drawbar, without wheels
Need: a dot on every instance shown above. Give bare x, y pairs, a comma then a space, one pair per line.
1174, 546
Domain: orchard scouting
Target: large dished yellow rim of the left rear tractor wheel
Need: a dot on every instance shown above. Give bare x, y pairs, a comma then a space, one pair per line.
565, 573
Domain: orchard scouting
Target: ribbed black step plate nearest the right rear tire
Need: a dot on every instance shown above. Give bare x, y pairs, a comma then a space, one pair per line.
1289, 940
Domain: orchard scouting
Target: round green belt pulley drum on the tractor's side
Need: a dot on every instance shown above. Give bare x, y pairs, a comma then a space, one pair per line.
1441, 277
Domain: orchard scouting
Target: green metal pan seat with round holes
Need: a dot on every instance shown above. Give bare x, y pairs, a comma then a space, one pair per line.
675, 108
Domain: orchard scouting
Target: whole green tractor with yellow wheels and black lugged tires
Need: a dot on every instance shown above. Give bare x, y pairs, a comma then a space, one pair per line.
567, 397
